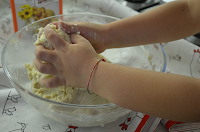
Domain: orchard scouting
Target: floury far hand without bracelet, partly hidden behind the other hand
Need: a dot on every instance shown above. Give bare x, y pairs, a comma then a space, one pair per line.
96, 34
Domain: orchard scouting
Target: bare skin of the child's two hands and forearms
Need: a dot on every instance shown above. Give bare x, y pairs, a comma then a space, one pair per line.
167, 96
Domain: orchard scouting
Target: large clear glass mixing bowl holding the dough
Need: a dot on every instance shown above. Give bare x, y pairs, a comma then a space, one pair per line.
19, 50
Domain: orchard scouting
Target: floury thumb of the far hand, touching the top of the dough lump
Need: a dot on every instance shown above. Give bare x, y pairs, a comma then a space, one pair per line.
68, 27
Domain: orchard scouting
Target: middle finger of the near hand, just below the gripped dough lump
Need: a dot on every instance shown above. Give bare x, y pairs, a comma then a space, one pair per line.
45, 55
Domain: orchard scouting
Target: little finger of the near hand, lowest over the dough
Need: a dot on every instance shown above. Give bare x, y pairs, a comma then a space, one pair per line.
52, 82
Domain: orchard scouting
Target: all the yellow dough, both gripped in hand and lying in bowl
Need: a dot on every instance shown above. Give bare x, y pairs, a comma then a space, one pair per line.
60, 94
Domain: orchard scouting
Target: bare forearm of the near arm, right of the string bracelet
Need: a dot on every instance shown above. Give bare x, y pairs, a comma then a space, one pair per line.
170, 96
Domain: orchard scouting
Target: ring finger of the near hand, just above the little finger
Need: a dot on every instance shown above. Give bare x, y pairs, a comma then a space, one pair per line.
46, 68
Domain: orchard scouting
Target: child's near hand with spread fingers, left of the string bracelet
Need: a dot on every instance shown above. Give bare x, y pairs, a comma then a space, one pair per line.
70, 63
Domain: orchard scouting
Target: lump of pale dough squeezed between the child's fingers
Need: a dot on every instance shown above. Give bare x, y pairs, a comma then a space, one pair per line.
42, 40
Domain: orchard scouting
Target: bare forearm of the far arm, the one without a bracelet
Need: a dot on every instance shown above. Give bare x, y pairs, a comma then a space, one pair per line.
171, 21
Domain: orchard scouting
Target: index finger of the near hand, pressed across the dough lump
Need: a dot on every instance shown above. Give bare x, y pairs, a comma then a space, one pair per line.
54, 38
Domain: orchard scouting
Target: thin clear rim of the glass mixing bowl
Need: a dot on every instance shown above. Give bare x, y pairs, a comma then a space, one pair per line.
50, 101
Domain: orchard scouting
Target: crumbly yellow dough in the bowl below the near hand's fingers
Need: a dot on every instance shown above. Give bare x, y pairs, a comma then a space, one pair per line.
60, 94
